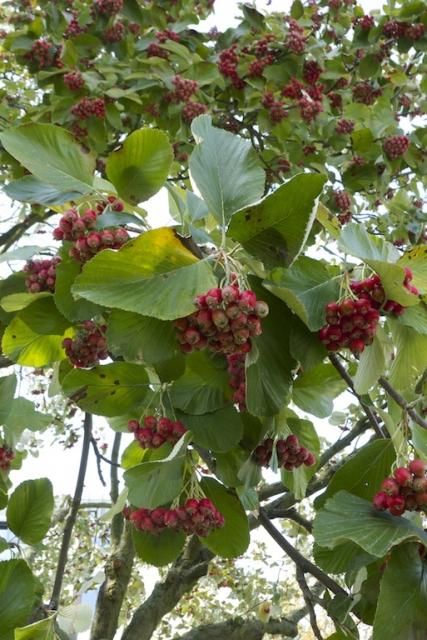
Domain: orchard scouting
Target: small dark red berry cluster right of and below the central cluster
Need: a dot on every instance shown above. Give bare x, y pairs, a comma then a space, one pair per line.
290, 453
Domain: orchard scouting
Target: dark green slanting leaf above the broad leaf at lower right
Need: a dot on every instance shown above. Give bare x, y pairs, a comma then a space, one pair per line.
363, 473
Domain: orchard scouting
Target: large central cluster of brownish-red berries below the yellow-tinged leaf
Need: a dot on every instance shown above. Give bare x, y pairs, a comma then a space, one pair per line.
226, 320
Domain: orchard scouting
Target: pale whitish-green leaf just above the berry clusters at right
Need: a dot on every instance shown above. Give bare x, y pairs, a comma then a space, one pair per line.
356, 241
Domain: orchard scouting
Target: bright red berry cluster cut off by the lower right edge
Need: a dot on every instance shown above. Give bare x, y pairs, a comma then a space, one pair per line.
406, 490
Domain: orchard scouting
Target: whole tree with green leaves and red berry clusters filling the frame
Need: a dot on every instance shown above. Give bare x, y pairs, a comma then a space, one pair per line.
293, 152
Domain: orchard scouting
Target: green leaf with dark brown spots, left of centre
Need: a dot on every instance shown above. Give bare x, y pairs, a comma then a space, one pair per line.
108, 390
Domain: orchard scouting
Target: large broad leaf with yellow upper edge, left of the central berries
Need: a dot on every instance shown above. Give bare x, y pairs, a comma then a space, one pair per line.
154, 275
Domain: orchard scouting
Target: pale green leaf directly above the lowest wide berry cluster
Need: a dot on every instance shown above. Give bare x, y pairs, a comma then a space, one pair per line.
152, 484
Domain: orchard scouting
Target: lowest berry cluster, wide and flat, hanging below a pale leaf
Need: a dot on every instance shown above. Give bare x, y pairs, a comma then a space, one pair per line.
196, 516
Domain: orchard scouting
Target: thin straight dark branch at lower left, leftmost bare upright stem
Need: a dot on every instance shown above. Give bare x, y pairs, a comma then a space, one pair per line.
71, 519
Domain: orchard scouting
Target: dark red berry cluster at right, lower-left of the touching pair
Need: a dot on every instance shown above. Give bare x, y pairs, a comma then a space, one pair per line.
349, 323
